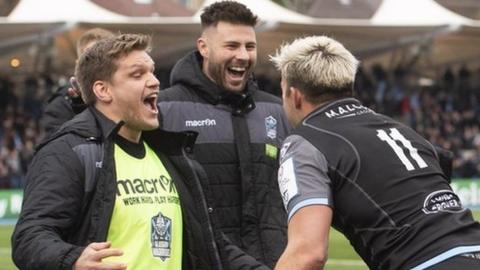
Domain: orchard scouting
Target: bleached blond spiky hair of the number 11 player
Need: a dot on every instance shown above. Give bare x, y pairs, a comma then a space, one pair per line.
316, 65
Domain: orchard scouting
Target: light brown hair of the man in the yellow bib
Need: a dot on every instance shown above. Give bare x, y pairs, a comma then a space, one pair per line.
99, 62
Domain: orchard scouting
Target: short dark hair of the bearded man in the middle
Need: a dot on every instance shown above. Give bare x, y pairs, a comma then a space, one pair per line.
227, 11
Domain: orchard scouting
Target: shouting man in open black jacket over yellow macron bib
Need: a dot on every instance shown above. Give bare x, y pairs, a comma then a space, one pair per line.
109, 189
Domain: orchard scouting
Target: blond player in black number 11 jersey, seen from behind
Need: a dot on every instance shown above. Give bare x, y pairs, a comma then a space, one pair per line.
376, 180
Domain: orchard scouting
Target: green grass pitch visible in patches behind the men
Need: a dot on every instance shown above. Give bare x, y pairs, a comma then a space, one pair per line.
340, 255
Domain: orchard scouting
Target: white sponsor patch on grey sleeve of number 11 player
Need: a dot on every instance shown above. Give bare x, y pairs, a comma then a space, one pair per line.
287, 181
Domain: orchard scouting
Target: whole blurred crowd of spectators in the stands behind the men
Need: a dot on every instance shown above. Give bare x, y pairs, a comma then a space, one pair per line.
445, 111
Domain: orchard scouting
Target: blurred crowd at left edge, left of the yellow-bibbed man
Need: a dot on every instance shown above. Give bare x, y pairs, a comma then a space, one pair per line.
21, 104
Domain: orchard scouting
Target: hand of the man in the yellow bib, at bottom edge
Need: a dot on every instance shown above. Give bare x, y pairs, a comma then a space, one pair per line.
92, 255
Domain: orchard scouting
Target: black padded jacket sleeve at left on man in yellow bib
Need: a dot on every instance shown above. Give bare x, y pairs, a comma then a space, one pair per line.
52, 201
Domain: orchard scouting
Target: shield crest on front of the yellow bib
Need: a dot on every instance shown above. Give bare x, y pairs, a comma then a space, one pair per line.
161, 236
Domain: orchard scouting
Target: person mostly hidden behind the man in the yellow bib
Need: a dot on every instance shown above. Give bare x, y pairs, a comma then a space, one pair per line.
64, 104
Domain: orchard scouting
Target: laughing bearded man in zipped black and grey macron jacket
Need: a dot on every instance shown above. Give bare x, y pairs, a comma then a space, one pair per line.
240, 130
